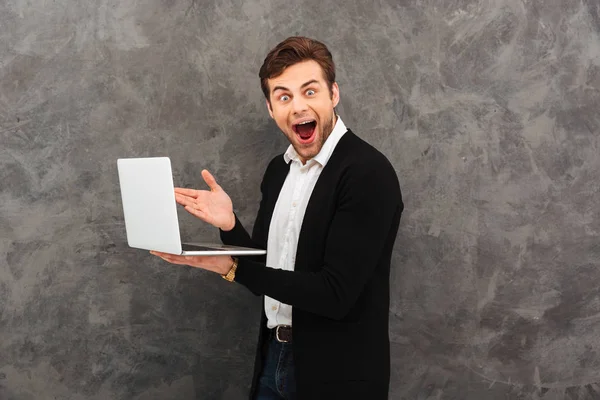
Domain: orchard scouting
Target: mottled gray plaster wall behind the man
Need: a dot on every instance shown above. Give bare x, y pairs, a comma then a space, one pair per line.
487, 109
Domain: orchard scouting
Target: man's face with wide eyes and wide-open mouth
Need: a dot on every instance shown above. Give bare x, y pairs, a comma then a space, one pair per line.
302, 106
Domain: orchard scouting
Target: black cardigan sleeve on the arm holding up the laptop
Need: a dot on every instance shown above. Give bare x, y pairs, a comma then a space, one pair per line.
369, 203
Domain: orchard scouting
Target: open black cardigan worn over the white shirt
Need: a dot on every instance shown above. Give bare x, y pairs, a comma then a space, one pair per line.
339, 290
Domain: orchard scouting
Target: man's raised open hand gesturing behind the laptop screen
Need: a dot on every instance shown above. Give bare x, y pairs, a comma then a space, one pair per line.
212, 206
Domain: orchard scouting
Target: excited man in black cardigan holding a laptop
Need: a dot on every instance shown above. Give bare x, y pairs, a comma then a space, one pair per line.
328, 217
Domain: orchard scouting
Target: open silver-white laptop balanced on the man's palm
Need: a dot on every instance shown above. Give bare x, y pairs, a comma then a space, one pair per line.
150, 211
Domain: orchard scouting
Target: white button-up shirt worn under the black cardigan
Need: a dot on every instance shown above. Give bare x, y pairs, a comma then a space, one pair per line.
289, 213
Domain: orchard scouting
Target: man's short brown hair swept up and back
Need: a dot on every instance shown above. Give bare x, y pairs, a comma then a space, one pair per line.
291, 51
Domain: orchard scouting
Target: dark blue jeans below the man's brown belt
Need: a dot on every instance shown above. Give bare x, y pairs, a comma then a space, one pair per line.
277, 381
